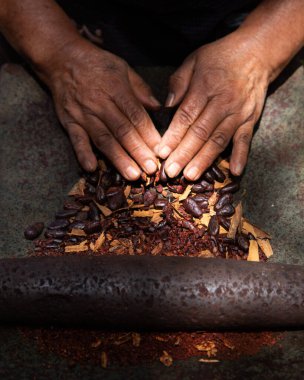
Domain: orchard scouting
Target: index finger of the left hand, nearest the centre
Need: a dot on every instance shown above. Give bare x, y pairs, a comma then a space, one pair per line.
138, 119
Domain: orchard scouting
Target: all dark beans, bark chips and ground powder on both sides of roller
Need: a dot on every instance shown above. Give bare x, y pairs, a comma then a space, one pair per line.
158, 216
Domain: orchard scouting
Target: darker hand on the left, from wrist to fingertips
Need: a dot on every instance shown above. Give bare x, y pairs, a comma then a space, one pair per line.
98, 96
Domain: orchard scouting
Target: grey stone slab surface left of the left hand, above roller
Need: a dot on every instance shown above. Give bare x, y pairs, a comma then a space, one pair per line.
37, 164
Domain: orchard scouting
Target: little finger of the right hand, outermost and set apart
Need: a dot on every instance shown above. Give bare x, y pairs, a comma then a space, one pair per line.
241, 146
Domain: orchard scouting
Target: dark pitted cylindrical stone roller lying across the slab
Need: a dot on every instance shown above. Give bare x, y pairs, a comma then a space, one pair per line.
145, 292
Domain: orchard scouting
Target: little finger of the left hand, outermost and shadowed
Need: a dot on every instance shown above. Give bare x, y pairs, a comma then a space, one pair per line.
81, 144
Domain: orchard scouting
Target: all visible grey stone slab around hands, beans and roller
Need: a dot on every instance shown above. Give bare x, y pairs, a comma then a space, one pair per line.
38, 167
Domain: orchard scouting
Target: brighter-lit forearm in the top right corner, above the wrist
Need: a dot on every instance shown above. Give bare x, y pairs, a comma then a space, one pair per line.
277, 26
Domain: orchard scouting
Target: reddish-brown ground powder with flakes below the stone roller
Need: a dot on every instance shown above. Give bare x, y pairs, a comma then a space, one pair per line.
130, 348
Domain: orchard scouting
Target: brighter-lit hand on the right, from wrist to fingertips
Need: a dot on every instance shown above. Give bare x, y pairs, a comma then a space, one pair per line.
222, 87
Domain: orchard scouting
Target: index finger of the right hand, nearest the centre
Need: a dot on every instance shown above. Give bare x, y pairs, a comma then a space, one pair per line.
185, 116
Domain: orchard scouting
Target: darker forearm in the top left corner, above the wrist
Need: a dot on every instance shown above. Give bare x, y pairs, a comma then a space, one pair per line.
37, 29
